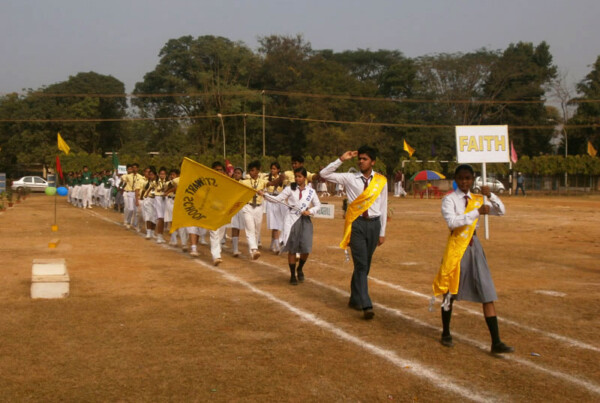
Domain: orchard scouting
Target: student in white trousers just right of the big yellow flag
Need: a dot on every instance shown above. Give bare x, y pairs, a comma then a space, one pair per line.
253, 211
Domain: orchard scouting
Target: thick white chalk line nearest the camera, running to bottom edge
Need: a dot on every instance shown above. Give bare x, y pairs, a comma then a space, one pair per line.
419, 370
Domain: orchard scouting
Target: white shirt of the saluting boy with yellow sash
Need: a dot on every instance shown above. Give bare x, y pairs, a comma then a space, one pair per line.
354, 186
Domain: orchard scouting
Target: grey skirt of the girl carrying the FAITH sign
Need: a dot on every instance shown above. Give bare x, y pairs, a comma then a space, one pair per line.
476, 284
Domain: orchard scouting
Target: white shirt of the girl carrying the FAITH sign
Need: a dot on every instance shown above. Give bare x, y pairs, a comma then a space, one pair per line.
453, 209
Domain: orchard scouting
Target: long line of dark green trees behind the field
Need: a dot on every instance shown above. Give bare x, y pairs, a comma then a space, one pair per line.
316, 103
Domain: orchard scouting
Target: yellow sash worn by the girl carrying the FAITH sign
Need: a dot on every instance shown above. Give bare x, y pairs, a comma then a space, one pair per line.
448, 276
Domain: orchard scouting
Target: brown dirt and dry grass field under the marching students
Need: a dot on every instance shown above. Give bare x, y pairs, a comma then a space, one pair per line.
146, 322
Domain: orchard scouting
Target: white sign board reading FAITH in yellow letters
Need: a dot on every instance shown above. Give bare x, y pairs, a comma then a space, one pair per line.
477, 144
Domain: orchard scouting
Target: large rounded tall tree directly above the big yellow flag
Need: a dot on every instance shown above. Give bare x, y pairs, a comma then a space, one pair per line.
218, 69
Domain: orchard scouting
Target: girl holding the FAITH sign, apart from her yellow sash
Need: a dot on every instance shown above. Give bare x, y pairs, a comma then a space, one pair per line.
475, 283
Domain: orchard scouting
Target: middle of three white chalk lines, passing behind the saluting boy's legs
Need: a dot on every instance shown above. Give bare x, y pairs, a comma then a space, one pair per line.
482, 346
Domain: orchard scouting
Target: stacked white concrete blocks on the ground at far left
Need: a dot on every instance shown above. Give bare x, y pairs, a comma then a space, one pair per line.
49, 279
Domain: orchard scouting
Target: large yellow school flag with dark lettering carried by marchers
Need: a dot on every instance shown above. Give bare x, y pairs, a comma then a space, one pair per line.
206, 198
